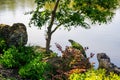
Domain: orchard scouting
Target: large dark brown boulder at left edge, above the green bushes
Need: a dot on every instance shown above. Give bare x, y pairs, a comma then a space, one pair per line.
14, 35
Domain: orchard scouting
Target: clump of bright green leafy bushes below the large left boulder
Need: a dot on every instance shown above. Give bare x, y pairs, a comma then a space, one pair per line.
28, 62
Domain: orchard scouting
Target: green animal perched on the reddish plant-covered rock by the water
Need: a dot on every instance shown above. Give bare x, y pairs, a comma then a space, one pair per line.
78, 46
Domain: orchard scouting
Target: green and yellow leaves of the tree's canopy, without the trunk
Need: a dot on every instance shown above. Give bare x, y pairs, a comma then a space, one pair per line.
97, 11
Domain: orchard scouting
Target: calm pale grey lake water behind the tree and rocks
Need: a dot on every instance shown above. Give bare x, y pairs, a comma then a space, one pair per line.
104, 38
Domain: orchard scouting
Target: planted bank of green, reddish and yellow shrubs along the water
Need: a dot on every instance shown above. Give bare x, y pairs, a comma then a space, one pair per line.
31, 64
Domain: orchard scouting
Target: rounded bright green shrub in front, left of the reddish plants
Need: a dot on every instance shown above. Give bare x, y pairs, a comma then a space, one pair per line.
35, 70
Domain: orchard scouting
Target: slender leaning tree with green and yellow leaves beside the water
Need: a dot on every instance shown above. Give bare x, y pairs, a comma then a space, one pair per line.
71, 13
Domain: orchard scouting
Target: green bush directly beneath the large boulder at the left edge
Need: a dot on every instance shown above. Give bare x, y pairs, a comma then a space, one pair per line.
16, 57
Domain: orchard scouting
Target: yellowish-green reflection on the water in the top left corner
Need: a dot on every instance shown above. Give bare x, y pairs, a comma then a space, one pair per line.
12, 5
